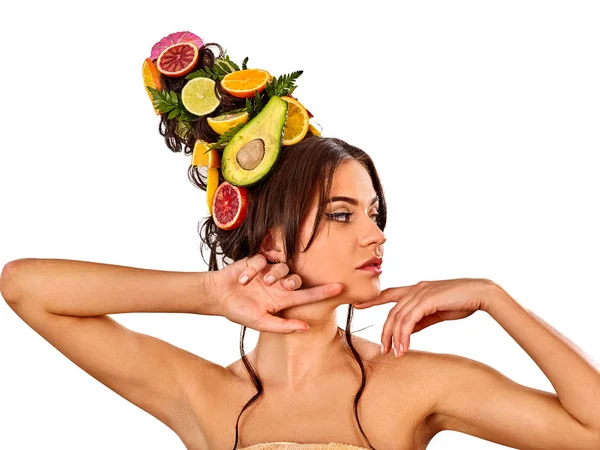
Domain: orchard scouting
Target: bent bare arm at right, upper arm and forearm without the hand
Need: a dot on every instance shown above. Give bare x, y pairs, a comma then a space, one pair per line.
480, 401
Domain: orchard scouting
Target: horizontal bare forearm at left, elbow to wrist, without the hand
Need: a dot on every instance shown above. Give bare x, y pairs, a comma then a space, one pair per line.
81, 288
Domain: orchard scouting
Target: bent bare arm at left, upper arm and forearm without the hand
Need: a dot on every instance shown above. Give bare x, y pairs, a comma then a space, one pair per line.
67, 302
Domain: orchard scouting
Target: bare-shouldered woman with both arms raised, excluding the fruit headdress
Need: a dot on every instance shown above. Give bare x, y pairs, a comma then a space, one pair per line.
322, 385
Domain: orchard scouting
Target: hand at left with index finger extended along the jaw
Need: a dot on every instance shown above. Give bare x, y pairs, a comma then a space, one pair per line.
254, 303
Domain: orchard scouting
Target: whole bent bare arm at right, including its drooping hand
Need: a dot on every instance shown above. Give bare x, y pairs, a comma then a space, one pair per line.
476, 399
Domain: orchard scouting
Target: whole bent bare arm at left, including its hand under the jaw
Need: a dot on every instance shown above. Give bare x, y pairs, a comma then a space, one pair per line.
67, 303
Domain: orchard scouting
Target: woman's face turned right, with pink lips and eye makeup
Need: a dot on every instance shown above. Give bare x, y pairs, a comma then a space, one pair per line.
347, 238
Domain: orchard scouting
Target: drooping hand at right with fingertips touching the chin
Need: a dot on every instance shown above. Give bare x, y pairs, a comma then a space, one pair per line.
426, 303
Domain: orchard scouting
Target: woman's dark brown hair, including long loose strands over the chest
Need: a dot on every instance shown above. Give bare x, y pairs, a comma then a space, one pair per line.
282, 199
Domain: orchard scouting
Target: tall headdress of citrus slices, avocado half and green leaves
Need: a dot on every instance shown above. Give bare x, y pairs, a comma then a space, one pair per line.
247, 114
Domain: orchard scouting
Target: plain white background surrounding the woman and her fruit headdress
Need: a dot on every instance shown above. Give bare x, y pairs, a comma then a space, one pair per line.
482, 118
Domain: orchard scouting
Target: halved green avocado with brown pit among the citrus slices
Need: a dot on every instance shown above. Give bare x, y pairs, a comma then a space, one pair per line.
253, 151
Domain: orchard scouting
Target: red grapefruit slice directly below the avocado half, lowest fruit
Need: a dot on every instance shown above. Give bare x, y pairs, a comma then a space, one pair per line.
230, 206
